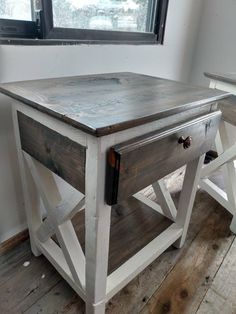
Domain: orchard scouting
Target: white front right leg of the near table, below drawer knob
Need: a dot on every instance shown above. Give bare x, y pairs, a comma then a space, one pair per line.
187, 197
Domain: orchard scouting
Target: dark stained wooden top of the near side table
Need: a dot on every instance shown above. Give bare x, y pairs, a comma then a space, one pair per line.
106, 103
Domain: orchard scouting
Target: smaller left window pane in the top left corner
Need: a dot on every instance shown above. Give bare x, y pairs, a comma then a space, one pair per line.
15, 9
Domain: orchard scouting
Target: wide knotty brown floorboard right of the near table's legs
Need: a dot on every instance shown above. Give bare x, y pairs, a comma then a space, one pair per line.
185, 287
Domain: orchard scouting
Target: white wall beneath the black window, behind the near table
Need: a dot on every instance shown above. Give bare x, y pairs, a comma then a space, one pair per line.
173, 60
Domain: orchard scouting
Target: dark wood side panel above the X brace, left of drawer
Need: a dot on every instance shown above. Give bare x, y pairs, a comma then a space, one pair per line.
56, 152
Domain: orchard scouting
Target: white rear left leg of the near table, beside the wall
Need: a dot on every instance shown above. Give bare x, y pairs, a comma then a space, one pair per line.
31, 200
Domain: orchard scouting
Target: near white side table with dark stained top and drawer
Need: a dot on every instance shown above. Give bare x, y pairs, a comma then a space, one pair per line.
108, 136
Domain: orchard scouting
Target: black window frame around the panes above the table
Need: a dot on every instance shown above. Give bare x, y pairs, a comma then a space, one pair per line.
43, 29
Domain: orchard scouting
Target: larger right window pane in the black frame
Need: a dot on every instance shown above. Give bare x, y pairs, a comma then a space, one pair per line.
116, 15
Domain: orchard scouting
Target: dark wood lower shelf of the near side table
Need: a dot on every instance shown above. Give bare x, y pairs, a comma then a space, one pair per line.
133, 226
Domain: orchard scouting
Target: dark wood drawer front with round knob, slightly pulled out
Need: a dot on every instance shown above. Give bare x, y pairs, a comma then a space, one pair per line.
135, 164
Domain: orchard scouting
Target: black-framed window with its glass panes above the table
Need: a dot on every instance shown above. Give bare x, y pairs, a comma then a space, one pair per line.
93, 21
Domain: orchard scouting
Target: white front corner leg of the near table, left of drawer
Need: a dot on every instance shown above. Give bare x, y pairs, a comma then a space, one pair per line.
97, 234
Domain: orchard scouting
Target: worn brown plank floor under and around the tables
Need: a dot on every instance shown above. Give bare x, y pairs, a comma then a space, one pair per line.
199, 278
